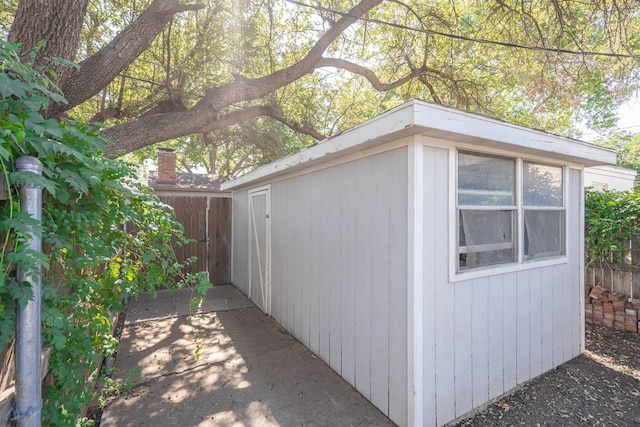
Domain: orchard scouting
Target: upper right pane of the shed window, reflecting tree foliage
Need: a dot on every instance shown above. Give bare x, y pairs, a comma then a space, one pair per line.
542, 185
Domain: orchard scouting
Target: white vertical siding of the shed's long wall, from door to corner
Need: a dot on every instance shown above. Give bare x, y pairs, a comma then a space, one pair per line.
339, 271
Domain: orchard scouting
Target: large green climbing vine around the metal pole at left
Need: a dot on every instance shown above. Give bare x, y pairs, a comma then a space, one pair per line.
105, 236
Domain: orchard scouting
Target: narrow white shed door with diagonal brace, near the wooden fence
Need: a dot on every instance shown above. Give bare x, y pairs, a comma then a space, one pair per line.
260, 249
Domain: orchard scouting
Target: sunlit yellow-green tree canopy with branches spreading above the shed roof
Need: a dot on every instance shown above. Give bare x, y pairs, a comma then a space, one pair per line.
254, 80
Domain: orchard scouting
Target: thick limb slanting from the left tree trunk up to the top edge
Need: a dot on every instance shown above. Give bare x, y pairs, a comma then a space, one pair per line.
97, 71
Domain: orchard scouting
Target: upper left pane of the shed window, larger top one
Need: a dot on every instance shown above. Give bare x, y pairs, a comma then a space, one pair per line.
485, 180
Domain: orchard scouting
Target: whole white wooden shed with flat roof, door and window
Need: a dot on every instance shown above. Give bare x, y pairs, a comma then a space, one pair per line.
432, 257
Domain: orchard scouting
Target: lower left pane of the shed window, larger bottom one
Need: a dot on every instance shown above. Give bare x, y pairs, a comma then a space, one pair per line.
486, 237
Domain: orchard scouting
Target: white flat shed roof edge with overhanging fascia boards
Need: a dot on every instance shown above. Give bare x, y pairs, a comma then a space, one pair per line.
420, 117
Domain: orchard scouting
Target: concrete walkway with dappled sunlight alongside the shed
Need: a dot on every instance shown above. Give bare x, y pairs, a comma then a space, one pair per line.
250, 372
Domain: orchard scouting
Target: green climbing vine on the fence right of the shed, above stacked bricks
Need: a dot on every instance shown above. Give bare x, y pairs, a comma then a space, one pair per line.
612, 223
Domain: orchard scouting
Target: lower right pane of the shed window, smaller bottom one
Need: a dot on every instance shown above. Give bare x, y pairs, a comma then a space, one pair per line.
544, 233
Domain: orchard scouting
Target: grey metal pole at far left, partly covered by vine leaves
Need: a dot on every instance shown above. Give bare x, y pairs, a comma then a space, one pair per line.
28, 348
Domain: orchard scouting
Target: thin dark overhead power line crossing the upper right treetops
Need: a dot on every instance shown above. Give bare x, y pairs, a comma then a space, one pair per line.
466, 38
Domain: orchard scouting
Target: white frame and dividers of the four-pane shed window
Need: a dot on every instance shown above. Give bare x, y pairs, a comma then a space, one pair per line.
521, 261
